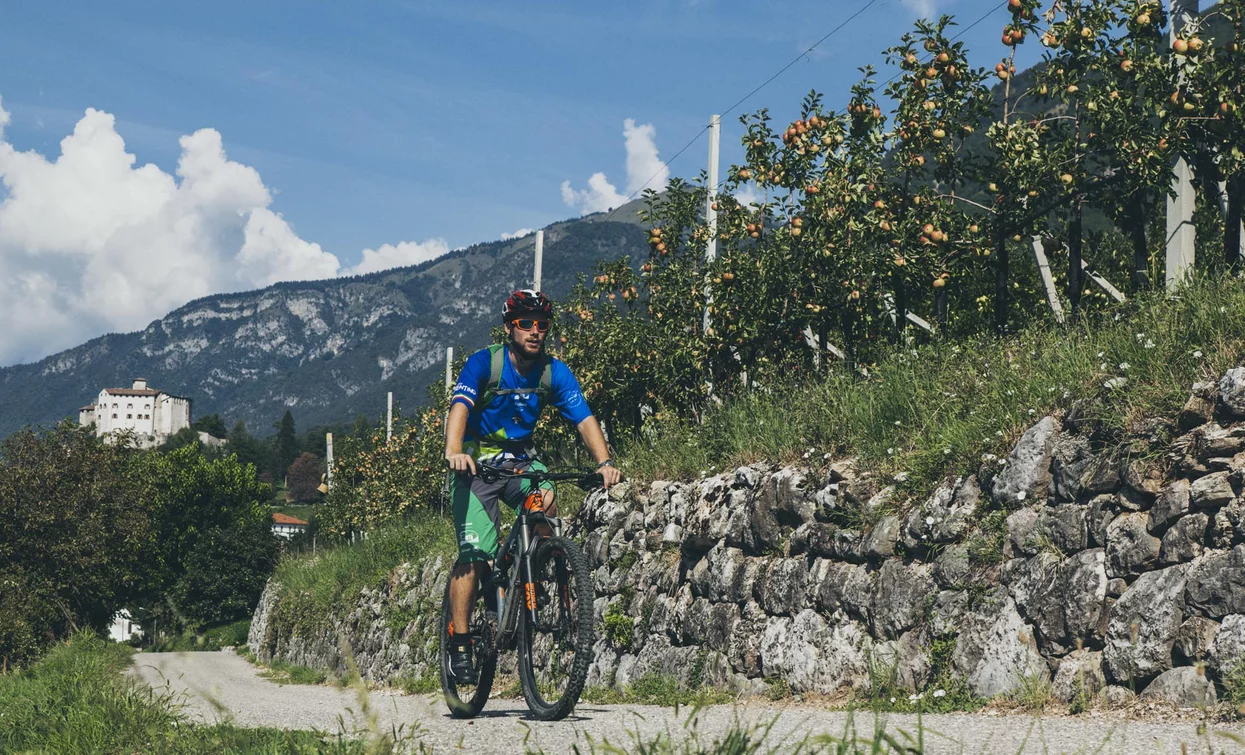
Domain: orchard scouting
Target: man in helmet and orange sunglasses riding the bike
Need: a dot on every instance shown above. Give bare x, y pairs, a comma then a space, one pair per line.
494, 412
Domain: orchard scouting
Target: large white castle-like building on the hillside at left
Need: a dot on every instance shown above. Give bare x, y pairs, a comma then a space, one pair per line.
150, 414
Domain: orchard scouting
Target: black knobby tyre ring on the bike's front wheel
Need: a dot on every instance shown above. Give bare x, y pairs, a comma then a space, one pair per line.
550, 555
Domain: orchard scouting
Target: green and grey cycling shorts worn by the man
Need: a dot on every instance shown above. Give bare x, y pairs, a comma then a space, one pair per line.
477, 515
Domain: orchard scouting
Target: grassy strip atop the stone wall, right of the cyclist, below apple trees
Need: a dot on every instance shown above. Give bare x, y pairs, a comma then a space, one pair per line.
934, 409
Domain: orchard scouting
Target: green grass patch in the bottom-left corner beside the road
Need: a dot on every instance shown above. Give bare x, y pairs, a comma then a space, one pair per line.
77, 701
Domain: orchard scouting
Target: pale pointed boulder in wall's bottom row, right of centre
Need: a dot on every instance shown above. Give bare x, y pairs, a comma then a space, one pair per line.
995, 650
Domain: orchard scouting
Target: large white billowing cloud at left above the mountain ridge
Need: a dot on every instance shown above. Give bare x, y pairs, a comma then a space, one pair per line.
93, 242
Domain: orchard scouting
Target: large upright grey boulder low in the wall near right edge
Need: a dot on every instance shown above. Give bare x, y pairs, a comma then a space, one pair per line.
1145, 624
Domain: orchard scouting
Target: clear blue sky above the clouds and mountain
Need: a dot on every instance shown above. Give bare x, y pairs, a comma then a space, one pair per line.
395, 121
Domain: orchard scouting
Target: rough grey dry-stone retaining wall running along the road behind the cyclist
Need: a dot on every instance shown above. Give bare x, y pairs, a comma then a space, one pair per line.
1094, 567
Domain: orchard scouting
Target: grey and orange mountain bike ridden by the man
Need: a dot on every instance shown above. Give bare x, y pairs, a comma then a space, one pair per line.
538, 600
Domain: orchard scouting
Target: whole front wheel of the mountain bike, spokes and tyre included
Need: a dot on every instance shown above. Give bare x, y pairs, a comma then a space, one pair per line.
556, 652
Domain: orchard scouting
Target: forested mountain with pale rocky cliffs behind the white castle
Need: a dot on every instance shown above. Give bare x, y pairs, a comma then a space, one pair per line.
324, 349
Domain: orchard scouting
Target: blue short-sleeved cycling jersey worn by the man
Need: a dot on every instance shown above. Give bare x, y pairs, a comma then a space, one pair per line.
505, 427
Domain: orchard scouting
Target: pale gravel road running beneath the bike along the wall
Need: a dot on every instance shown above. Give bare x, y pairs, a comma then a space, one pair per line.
226, 687
